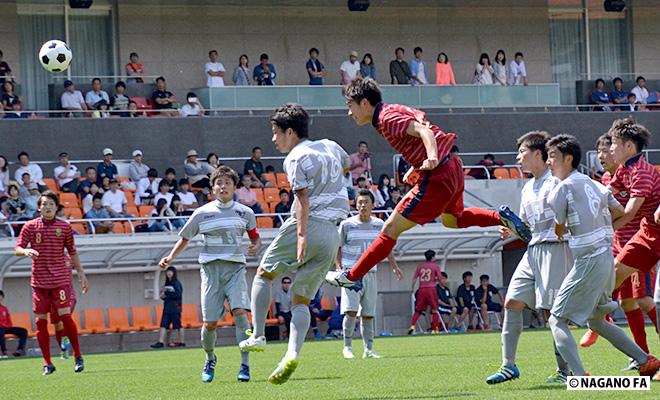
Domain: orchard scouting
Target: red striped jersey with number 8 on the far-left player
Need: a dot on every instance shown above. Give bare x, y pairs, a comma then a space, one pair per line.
49, 238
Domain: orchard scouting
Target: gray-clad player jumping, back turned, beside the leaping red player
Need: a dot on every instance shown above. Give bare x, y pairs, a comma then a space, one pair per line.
307, 242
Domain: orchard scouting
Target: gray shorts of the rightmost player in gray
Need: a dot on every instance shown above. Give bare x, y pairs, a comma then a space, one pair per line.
588, 286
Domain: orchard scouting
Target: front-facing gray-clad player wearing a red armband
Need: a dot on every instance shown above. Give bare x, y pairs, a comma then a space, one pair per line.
222, 223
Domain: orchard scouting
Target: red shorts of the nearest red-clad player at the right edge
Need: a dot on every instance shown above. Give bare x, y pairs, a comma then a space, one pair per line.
642, 252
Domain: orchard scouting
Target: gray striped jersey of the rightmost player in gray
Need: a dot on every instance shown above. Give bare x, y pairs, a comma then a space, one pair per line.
583, 205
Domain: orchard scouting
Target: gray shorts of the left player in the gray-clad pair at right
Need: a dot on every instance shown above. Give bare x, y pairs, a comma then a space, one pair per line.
540, 273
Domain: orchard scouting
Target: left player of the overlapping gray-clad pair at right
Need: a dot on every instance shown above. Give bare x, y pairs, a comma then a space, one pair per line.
544, 265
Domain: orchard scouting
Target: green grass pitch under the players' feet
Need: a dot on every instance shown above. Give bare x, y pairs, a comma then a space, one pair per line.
421, 367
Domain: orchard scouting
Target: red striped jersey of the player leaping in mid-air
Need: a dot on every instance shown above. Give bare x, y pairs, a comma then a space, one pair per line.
392, 121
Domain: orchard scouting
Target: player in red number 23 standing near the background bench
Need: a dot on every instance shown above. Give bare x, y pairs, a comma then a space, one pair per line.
429, 276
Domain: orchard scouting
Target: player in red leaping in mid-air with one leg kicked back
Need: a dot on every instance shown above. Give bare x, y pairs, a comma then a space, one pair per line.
436, 176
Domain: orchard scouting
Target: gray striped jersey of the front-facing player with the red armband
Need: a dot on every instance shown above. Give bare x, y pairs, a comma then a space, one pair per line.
223, 227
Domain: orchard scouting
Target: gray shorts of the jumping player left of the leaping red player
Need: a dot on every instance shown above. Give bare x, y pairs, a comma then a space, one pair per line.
281, 257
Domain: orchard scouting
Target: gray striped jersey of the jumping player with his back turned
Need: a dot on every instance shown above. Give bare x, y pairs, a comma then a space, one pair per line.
318, 167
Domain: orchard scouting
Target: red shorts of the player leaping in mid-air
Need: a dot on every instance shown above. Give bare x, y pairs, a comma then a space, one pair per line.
435, 192
